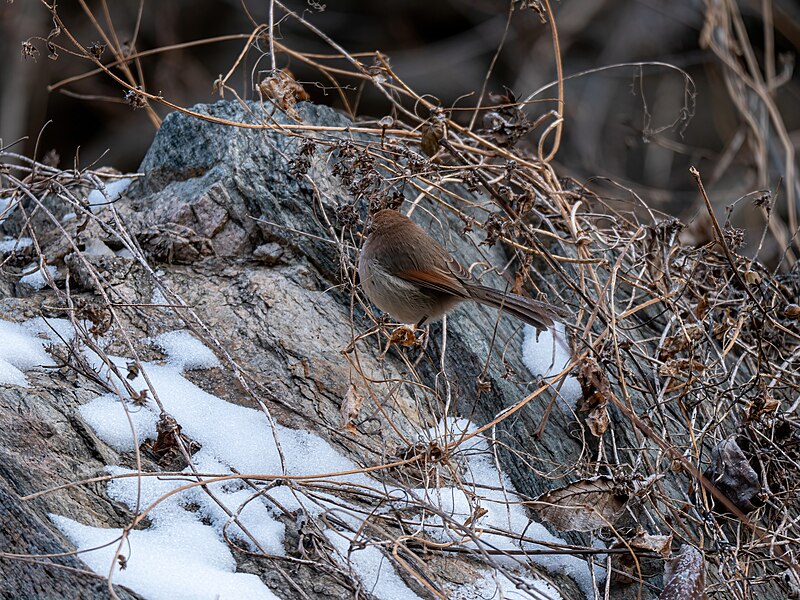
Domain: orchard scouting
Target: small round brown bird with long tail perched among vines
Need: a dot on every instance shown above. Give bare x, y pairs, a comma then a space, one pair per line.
407, 274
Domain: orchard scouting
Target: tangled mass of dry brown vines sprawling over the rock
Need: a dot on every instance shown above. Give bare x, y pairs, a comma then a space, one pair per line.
686, 350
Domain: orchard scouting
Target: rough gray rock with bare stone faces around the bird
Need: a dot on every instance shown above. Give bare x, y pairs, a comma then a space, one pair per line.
246, 242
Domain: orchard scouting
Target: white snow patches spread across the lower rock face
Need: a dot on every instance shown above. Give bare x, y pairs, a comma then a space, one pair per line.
183, 553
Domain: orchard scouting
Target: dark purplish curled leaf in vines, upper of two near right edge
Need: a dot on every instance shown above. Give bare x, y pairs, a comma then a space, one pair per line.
731, 473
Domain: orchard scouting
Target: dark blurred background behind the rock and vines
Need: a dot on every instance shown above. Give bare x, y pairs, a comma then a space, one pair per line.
730, 108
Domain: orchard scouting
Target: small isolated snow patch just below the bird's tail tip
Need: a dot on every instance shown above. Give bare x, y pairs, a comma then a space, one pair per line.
546, 354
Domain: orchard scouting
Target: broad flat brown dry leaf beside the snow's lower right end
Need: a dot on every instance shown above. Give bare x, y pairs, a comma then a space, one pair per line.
583, 505
